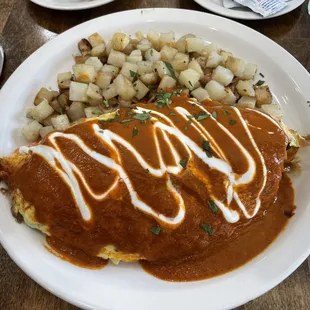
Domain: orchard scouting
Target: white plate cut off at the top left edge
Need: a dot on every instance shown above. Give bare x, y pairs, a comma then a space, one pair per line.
70, 5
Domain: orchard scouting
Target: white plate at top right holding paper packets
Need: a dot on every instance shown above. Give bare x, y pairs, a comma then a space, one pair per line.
216, 6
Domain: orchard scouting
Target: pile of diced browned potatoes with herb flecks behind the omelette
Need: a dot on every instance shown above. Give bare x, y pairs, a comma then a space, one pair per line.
125, 70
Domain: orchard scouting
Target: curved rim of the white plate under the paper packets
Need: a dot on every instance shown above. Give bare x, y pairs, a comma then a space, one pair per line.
245, 15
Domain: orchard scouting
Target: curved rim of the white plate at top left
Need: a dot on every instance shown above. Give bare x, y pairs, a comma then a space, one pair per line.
82, 6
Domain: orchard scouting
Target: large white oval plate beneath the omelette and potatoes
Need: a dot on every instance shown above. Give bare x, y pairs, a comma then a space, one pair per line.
127, 286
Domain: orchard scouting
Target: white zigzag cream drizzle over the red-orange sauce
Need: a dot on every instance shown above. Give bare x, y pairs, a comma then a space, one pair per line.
69, 172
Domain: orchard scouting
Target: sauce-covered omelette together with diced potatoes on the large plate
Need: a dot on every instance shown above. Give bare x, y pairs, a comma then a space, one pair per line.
159, 151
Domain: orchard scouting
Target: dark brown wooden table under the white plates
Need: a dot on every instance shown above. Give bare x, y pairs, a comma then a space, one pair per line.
24, 27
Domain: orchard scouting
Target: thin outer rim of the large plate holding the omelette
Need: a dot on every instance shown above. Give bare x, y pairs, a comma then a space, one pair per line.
63, 294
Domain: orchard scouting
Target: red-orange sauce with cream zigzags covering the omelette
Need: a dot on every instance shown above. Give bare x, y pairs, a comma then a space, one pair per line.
195, 190
